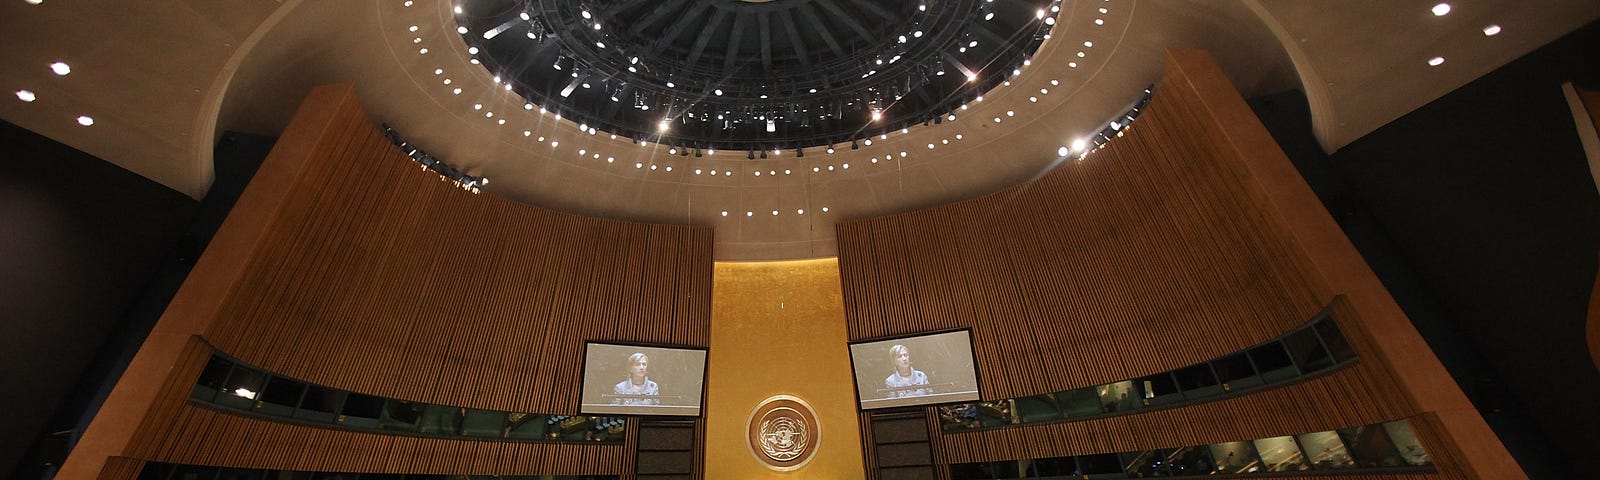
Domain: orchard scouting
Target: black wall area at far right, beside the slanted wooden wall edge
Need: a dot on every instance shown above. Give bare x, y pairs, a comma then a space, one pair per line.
1481, 217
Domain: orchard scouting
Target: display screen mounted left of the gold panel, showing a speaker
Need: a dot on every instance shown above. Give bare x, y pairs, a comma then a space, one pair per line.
639, 380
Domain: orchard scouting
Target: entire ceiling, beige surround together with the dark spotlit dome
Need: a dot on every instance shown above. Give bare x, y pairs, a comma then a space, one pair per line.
169, 78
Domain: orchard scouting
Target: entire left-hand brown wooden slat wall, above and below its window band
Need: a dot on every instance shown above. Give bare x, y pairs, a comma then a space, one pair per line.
380, 279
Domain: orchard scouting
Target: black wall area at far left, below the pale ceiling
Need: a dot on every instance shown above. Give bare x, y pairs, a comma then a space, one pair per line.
81, 241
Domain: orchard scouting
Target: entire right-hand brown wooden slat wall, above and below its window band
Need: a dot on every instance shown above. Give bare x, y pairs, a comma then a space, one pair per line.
1151, 255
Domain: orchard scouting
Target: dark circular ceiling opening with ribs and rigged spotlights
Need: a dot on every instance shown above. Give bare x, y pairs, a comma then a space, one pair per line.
753, 76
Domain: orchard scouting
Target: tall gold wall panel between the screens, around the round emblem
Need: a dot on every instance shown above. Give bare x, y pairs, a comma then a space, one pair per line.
780, 329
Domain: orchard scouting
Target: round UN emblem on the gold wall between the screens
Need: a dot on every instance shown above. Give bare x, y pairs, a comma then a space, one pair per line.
783, 433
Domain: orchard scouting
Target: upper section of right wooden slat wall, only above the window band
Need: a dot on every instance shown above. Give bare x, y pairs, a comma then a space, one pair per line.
1146, 257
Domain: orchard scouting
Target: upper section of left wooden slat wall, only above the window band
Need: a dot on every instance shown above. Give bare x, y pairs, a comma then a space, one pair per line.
385, 281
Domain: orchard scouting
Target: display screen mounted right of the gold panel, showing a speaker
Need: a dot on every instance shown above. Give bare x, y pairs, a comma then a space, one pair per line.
918, 370
